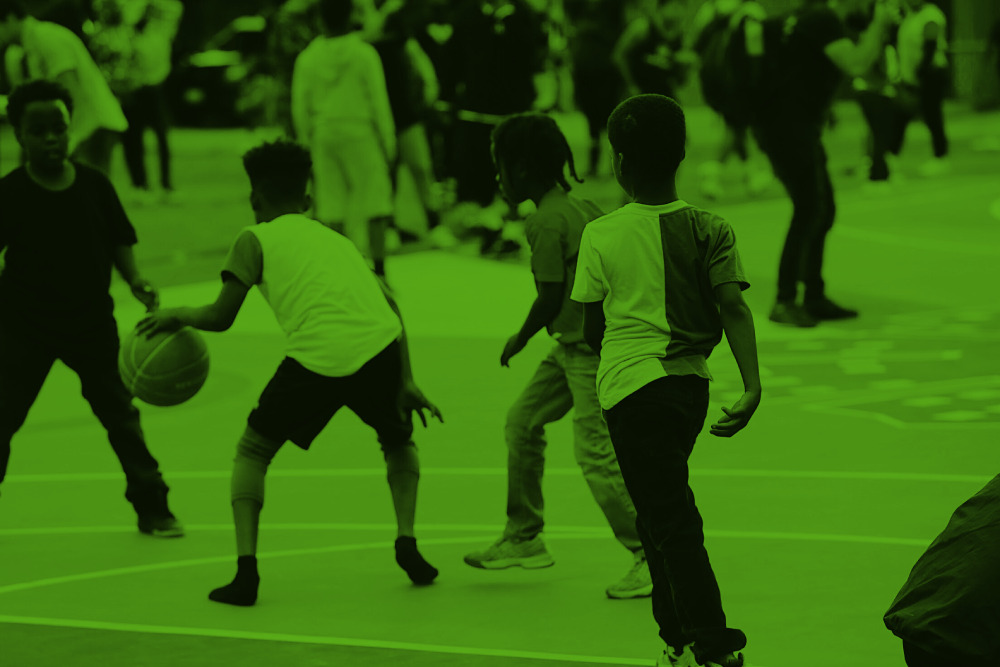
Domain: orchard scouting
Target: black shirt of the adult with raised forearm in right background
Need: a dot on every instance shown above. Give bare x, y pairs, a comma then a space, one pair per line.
804, 80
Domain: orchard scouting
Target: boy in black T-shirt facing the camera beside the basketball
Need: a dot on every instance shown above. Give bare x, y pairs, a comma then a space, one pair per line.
63, 227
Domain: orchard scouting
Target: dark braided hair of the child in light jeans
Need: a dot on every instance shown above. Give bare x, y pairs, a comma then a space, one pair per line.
532, 144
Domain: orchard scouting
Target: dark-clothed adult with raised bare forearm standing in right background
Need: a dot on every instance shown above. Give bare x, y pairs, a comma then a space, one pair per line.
813, 54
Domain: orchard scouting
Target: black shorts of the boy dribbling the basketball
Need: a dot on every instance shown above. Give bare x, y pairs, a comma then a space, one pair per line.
297, 403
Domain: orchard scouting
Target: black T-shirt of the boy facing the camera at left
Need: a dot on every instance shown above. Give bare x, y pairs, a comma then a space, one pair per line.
60, 246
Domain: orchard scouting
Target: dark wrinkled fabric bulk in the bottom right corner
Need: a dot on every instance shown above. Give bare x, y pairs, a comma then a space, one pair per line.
948, 611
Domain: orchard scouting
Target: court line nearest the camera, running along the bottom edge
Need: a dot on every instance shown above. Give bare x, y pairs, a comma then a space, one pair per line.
329, 641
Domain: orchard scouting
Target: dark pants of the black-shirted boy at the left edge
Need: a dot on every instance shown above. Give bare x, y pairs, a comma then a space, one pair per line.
27, 353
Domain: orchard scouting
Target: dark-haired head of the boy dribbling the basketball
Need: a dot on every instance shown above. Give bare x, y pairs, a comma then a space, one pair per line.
279, 171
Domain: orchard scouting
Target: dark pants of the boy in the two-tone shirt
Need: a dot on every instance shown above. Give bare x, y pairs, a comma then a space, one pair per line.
653, 432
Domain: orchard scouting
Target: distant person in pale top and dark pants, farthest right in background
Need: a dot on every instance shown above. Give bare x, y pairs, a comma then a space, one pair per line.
923, 69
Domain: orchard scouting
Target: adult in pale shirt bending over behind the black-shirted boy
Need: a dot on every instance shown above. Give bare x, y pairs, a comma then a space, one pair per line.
54, 52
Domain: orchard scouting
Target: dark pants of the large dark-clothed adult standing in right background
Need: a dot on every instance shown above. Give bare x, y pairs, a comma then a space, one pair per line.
799, 161
